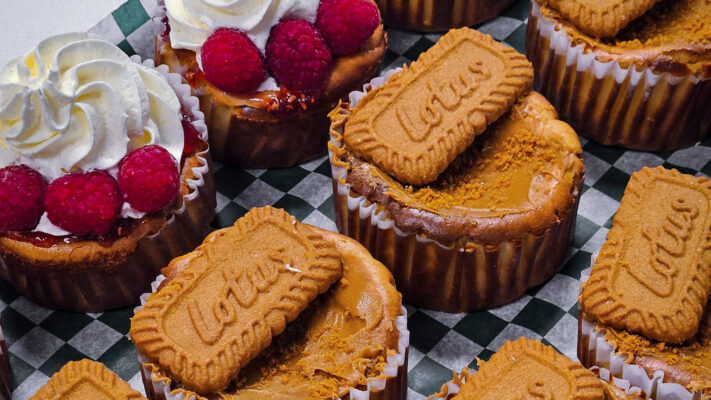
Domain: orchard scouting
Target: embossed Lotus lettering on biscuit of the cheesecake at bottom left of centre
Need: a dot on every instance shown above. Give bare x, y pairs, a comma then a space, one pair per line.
241, 289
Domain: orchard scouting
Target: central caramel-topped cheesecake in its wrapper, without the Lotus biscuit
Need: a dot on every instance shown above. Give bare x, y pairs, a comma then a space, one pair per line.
496, 222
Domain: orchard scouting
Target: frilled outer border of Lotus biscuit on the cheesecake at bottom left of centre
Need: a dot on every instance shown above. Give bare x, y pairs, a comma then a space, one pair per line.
242, 341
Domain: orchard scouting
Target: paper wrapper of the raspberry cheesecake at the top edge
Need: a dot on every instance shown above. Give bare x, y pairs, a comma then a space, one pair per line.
241, 139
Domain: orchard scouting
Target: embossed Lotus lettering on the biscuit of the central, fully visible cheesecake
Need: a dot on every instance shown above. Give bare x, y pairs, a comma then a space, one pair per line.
449, 95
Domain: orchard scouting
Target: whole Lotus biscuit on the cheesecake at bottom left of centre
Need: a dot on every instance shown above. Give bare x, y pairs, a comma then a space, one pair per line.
239, 289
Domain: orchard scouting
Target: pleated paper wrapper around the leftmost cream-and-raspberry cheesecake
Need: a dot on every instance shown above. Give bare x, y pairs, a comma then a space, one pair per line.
120, 285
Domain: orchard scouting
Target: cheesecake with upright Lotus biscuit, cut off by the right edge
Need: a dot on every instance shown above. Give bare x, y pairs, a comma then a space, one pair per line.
644, 305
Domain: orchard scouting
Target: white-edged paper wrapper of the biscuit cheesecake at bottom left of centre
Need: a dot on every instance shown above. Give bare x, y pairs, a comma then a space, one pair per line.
392, 385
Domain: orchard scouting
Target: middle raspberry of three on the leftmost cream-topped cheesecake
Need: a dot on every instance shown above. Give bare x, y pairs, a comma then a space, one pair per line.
84, 203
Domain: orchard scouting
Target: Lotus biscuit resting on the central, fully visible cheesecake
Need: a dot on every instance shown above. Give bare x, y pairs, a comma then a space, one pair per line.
427, 151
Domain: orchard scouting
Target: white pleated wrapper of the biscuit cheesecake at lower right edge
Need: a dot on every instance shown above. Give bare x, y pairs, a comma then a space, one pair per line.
595, 351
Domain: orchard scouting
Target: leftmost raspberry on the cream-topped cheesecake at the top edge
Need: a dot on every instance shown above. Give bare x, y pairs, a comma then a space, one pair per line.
232, 62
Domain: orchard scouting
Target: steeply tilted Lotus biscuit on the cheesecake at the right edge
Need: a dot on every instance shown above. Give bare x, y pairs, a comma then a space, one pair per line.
666, 297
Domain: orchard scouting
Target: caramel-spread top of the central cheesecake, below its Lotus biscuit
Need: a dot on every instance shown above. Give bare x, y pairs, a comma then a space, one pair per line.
520, 176
